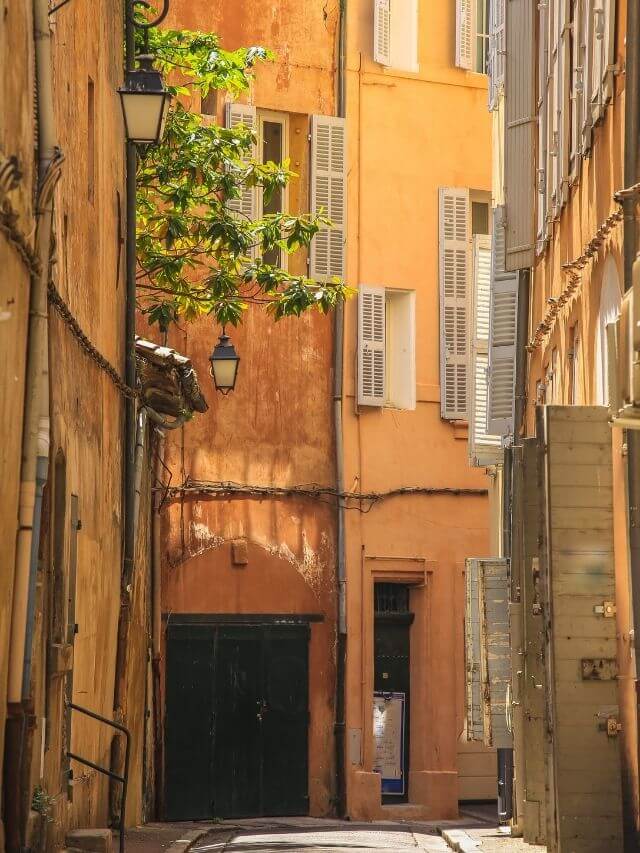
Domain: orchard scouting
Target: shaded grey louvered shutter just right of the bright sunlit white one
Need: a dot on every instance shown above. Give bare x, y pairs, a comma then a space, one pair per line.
502, 336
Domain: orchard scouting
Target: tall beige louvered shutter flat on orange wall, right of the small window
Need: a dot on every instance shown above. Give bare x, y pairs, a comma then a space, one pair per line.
454, 302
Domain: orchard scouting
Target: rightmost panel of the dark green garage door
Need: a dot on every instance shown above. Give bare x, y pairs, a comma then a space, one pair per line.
285, 722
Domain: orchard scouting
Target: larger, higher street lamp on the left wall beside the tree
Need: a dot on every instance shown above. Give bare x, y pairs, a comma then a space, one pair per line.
145, 103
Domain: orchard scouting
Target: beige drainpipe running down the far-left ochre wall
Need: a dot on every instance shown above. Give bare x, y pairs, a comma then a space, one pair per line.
35, 434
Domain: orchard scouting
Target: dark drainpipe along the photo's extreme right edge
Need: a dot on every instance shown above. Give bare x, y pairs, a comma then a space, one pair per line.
631, 267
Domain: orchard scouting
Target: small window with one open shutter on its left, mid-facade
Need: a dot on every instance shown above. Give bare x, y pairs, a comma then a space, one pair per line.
386, 347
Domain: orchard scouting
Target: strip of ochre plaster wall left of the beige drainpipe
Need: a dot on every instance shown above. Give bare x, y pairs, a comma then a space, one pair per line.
16, 139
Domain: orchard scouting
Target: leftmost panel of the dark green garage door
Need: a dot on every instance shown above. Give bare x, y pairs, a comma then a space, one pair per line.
188, 723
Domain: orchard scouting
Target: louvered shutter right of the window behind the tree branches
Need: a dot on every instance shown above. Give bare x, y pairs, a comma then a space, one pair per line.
328, 194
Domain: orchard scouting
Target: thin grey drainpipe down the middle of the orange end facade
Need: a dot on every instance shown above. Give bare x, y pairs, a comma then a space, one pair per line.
338, 357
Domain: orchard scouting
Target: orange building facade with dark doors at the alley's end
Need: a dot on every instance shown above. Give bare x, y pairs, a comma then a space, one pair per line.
360, 604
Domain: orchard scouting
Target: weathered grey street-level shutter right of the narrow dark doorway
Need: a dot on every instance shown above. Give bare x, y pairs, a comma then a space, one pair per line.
495, 650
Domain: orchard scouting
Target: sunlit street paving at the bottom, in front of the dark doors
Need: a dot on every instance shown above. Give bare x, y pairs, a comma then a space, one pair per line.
325, 837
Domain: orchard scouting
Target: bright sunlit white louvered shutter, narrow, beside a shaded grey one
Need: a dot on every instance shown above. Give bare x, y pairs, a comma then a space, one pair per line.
484, 449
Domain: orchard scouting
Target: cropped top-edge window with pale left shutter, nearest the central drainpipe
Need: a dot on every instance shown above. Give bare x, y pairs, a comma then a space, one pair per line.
395, 34
